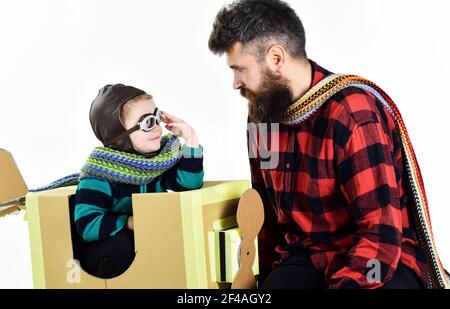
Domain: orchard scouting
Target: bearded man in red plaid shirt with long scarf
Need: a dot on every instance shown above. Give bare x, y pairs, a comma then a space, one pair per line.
344, 204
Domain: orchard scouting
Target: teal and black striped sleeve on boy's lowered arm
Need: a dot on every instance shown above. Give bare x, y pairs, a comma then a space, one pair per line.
93, 202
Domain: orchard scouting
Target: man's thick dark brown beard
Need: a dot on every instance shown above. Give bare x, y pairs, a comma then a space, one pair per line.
269, 105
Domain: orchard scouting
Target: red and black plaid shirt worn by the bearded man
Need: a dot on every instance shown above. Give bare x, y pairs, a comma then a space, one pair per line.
339, 192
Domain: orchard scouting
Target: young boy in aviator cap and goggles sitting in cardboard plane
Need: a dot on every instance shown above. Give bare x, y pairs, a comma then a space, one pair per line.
136, 158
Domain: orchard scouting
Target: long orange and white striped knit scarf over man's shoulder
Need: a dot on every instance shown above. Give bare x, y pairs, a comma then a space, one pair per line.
310, 102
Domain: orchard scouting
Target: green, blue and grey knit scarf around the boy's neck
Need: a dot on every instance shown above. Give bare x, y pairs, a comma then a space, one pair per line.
123, 167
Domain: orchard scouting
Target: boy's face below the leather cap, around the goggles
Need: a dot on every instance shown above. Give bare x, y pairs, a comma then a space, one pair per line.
143, 142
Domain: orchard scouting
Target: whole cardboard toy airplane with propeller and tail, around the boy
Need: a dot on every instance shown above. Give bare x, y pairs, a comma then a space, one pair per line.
176, 235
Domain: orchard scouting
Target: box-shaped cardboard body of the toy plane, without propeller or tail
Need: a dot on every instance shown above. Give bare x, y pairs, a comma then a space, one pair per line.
171, 238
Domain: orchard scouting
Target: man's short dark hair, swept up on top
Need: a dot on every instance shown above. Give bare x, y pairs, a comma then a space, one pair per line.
255, 24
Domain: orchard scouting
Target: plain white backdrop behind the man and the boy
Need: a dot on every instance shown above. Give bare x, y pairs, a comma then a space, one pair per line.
55, 55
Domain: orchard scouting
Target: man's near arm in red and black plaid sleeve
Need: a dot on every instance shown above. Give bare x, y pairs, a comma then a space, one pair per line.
366, 174
